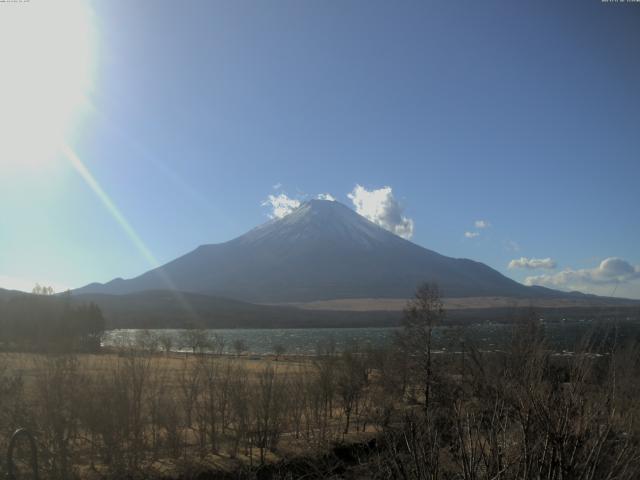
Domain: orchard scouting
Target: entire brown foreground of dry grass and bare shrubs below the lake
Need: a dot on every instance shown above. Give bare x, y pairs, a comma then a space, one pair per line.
137, 414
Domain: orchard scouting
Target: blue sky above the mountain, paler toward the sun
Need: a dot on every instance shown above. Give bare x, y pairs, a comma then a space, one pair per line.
525, 115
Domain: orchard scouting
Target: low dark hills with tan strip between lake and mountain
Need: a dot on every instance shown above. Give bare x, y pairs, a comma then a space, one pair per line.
171, 309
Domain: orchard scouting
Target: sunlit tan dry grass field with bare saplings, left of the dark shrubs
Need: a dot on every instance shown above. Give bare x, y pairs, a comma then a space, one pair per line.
101, 415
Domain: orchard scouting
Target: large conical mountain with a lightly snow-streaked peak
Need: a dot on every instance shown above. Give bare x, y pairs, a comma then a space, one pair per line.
323, 250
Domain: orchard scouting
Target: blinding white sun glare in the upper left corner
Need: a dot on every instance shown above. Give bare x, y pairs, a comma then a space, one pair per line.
47, 50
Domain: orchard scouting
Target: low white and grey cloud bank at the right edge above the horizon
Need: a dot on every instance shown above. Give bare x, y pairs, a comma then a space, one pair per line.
604, 279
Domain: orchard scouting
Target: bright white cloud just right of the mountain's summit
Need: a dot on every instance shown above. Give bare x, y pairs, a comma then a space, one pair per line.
380, 207
